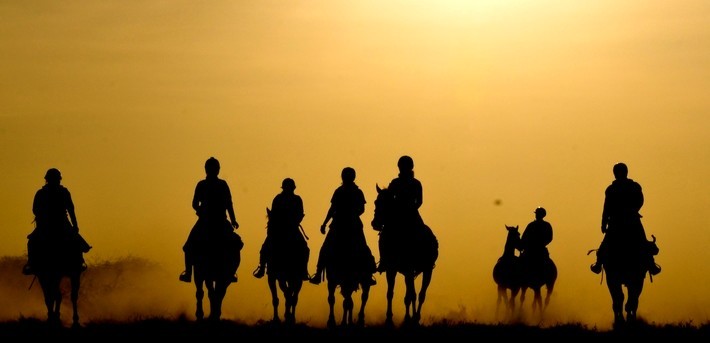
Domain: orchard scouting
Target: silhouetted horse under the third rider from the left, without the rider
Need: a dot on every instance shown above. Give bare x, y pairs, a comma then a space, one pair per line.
285, 267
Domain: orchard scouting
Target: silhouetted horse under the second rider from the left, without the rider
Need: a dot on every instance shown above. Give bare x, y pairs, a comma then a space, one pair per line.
214, 268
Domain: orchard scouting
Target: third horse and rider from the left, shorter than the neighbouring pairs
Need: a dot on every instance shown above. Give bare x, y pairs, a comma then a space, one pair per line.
285, 253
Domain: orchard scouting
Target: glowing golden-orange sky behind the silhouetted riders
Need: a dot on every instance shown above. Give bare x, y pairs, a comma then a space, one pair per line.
526, 102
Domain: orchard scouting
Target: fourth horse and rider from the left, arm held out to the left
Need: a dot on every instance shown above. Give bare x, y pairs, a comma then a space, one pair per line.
345, 258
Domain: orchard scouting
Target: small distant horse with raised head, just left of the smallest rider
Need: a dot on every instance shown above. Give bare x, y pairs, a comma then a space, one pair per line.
507, 272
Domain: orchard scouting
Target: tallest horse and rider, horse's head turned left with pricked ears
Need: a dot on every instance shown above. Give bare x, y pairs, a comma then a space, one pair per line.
407, 245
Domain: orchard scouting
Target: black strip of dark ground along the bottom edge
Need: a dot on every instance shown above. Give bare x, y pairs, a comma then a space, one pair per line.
179, 330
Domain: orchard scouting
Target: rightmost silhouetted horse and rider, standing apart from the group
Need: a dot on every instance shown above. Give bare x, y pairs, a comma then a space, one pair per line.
625, 252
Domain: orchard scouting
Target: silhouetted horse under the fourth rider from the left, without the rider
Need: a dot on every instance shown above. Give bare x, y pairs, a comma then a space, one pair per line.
344, 270
